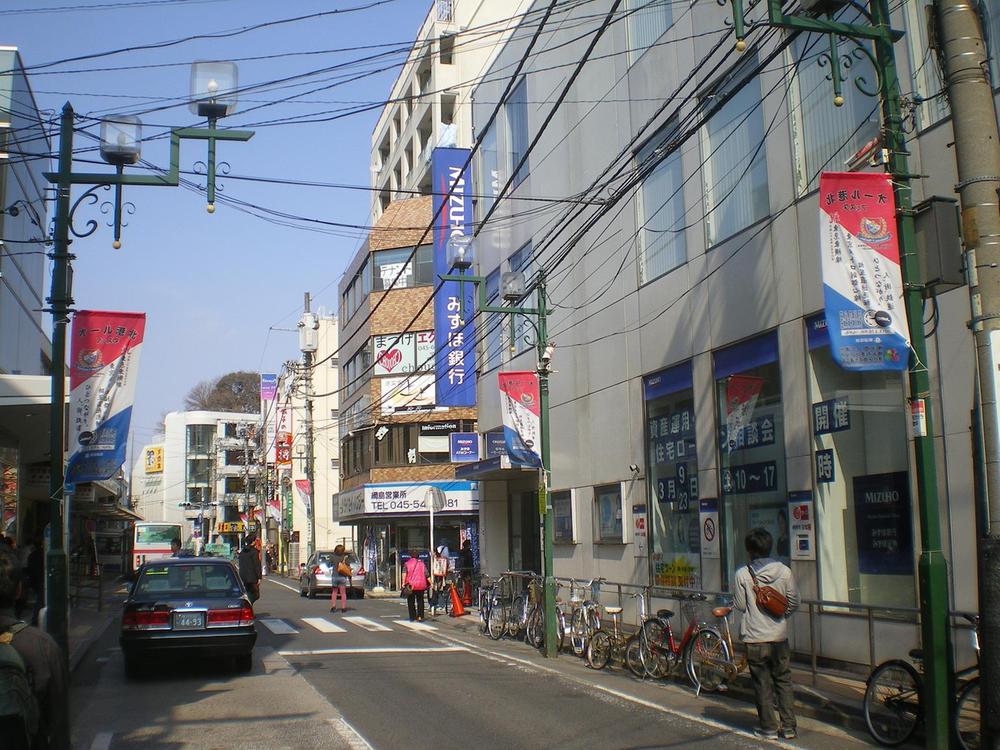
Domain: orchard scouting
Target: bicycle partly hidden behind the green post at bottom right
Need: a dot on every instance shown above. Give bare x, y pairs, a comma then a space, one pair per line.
893, 704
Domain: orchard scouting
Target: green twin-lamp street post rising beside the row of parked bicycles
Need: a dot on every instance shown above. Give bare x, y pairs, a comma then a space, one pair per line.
512, 288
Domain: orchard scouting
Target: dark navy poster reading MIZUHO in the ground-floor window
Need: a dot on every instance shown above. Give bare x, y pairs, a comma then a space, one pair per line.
883, 524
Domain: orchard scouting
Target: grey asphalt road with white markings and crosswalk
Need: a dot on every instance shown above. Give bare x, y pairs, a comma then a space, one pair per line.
370, 679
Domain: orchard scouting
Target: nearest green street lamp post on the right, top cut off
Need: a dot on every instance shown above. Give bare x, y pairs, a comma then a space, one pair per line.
932, 568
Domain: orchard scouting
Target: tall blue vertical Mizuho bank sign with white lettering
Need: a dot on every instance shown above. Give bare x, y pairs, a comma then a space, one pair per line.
454, 326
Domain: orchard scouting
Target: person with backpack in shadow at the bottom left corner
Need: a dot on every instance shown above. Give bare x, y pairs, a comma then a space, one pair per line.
40, 721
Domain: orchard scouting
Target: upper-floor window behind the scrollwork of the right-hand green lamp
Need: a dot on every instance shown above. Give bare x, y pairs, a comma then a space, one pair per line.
825, 136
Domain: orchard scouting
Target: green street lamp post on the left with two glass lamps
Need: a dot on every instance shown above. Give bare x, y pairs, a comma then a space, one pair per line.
213, 95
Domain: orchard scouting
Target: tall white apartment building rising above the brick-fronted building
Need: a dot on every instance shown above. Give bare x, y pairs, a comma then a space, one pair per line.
430, 103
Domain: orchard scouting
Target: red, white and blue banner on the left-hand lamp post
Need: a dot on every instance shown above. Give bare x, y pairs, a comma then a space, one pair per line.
103, 369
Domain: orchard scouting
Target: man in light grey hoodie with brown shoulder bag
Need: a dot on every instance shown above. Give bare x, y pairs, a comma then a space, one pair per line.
766, 594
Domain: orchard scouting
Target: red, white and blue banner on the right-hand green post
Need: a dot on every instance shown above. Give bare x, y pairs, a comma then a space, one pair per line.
862, 282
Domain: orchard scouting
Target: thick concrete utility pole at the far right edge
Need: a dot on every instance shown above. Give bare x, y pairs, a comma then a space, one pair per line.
977, 153
